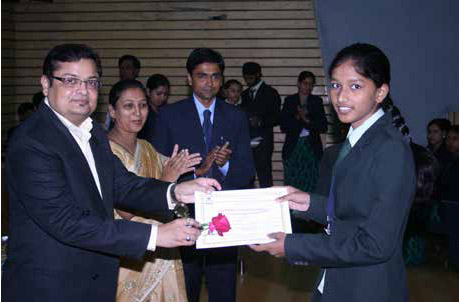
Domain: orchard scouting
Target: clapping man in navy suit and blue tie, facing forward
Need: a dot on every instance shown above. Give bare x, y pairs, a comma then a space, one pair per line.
219, 132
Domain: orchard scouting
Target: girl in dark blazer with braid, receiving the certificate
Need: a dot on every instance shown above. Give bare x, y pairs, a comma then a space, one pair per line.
372, 188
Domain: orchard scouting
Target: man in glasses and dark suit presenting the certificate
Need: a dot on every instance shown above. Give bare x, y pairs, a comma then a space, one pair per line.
63, 182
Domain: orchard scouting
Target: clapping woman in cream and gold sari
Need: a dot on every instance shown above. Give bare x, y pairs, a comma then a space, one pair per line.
160, 276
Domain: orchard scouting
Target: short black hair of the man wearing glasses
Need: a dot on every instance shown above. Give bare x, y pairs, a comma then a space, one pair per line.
69, 53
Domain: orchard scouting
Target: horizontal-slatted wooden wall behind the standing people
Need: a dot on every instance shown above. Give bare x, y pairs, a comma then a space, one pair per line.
280, 35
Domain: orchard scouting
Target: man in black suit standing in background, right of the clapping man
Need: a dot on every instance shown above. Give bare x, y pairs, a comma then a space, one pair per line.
262, 104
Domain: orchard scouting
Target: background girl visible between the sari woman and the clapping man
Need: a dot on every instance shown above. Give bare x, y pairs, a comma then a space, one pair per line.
158, 94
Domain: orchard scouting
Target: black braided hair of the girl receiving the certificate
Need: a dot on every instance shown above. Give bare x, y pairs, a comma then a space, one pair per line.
370, 62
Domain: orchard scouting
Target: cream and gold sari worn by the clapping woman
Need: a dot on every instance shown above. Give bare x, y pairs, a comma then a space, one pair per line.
160, 276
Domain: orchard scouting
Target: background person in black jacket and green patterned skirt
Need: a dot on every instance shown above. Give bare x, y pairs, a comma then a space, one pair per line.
303, 120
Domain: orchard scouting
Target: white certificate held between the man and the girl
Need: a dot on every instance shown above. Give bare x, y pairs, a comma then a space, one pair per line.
252, 215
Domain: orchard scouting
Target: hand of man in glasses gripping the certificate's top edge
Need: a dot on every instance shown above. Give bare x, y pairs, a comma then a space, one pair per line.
185, 191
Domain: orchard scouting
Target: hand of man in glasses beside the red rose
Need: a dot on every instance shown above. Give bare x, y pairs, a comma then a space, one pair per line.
178, 232
